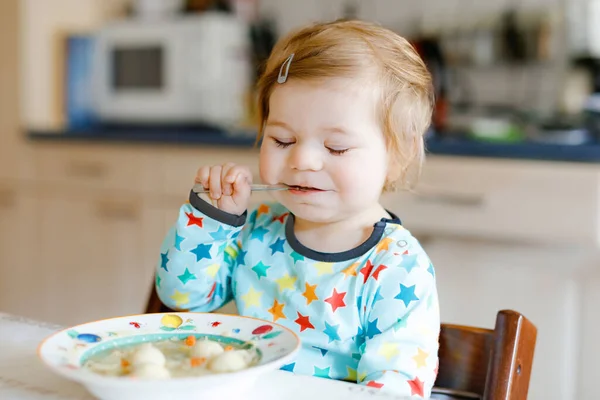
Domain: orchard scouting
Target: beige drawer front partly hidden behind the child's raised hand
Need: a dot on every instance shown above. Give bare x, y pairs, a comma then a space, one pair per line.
180, 166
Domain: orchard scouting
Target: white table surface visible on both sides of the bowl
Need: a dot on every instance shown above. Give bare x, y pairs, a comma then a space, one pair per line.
24, 377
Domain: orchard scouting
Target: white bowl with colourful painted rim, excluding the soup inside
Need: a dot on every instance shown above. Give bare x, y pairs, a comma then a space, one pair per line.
65, 352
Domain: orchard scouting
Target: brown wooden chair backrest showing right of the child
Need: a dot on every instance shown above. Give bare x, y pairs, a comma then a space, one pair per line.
484, 363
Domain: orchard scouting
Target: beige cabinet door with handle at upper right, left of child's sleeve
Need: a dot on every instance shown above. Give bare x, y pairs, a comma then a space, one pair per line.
91, 252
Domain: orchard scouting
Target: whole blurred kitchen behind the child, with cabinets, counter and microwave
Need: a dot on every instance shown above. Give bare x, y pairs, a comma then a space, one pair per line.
96, 155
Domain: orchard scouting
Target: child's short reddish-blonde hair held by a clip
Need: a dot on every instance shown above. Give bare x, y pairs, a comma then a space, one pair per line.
355, 49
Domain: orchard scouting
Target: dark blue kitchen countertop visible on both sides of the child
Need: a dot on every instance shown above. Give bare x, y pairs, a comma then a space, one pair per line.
194, 136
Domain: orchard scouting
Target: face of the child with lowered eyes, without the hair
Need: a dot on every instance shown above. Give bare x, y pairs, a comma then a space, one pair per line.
326, 137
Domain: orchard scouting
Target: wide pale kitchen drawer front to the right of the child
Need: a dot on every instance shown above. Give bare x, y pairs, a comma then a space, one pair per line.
503, 199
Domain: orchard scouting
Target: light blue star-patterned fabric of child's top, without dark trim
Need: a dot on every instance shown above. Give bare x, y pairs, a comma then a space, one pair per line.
368, 315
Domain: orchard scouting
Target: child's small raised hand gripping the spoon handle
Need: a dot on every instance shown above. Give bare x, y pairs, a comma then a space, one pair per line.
229, 186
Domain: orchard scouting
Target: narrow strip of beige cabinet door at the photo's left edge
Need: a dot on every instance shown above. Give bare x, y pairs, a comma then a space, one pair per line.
19, 244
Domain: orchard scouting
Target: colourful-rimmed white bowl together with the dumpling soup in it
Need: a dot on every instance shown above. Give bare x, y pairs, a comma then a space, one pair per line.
169, 355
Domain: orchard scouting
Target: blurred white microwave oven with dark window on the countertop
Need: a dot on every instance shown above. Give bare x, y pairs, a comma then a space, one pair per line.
184, 70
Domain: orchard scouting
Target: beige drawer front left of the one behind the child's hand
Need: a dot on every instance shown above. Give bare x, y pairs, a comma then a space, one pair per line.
98, 167
